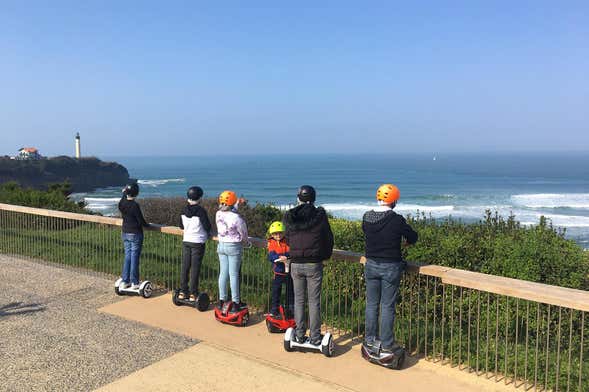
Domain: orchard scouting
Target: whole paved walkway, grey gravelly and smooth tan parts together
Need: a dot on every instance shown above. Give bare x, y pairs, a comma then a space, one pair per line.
65, 330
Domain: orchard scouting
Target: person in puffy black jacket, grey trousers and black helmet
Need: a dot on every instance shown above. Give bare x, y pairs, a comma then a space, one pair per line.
311, 241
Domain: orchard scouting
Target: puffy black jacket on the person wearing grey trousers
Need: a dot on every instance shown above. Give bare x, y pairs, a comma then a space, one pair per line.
309, 235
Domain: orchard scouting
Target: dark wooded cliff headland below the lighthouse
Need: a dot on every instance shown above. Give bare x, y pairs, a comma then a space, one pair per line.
84, 174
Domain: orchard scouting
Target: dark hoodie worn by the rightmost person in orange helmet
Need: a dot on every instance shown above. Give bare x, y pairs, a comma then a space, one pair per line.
384, 231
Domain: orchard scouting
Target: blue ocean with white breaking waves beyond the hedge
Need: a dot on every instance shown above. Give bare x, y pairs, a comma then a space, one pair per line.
463, 186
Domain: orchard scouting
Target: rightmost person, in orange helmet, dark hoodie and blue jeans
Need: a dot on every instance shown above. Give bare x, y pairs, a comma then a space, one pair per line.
384, 231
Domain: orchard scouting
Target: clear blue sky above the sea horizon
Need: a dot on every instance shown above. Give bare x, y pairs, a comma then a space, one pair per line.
189, 78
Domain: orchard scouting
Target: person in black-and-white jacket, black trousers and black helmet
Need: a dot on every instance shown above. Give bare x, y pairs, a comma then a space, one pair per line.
197, 229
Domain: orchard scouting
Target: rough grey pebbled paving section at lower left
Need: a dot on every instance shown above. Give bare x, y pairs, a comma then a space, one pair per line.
52, 338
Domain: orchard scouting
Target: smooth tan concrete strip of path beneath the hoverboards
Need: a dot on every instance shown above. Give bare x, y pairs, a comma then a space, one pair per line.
234, 358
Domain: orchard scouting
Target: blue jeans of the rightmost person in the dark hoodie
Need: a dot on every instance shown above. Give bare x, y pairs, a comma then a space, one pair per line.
382, 288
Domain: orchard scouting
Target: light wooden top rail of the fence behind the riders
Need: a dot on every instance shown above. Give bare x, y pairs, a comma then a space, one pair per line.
538, 292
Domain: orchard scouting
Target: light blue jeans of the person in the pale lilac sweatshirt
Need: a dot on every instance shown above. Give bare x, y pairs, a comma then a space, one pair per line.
230, 265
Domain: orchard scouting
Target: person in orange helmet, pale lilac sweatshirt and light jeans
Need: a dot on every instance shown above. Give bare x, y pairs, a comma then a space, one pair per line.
232, 235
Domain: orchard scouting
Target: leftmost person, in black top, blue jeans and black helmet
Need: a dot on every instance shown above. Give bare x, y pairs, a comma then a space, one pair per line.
133, 223
